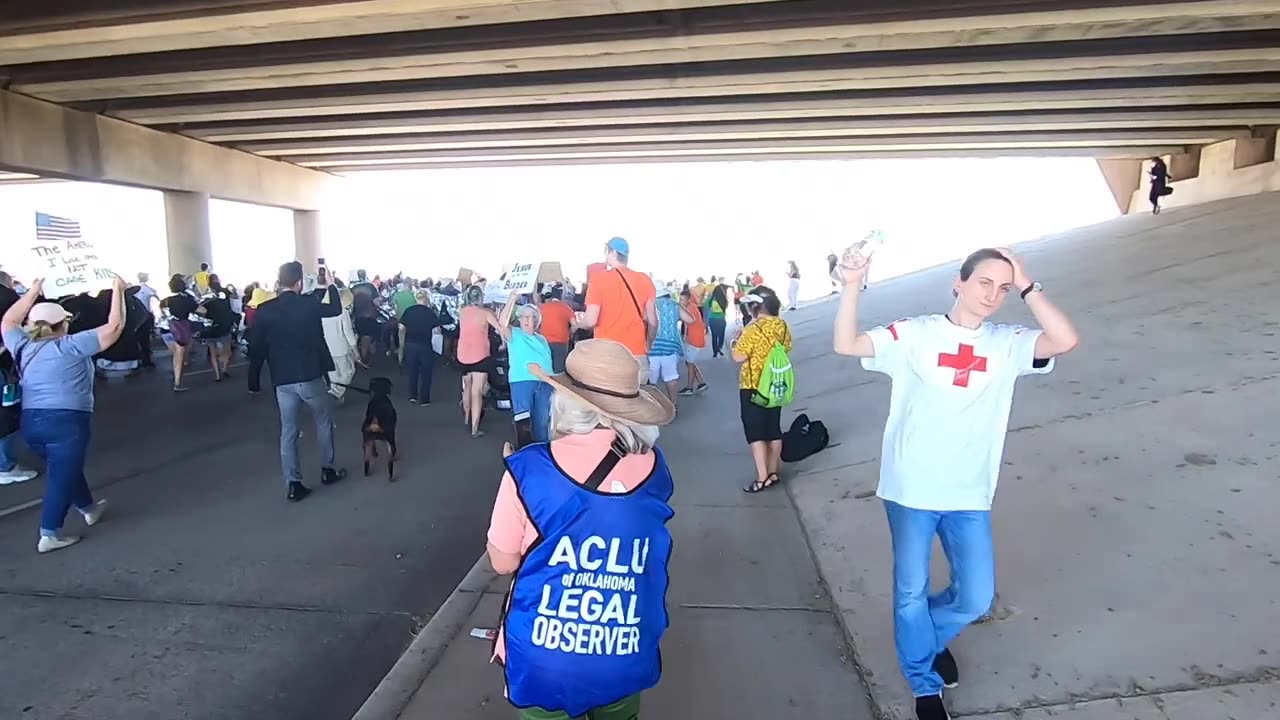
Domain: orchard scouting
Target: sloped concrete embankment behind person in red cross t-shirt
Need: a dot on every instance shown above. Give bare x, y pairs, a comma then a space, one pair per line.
1137, 557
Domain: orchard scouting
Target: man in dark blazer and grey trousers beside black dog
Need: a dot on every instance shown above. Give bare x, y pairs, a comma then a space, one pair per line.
289, 336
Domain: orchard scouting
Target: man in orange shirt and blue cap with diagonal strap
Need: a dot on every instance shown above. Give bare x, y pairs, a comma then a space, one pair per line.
620, 306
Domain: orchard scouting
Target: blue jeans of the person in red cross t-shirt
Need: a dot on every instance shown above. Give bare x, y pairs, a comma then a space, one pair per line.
925, 625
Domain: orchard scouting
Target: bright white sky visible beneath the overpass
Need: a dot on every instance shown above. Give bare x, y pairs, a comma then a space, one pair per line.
683, 221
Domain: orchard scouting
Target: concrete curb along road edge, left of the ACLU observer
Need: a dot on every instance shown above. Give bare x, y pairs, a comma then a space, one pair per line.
394, 695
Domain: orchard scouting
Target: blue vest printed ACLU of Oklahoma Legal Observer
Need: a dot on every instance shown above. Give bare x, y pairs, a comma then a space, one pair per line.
589, 601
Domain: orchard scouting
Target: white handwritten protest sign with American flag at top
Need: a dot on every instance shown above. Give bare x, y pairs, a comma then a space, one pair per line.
66, 259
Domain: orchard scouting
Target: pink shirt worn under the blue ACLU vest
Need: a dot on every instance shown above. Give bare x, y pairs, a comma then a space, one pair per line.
510, 530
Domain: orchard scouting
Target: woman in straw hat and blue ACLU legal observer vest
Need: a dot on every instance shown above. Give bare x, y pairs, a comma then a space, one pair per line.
582, 522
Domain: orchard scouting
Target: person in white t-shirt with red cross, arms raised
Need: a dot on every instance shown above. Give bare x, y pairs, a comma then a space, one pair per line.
953, 388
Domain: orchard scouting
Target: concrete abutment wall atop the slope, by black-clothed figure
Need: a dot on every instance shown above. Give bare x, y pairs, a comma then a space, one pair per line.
1232, 168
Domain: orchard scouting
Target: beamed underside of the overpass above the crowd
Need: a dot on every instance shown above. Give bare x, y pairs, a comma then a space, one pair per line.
348, 86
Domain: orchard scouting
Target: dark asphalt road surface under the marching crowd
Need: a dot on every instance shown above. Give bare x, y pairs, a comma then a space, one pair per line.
204, 595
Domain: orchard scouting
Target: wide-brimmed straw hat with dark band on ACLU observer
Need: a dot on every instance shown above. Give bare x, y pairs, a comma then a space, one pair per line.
605, 376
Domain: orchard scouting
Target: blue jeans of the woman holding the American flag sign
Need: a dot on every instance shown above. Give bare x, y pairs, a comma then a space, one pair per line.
61, 439
